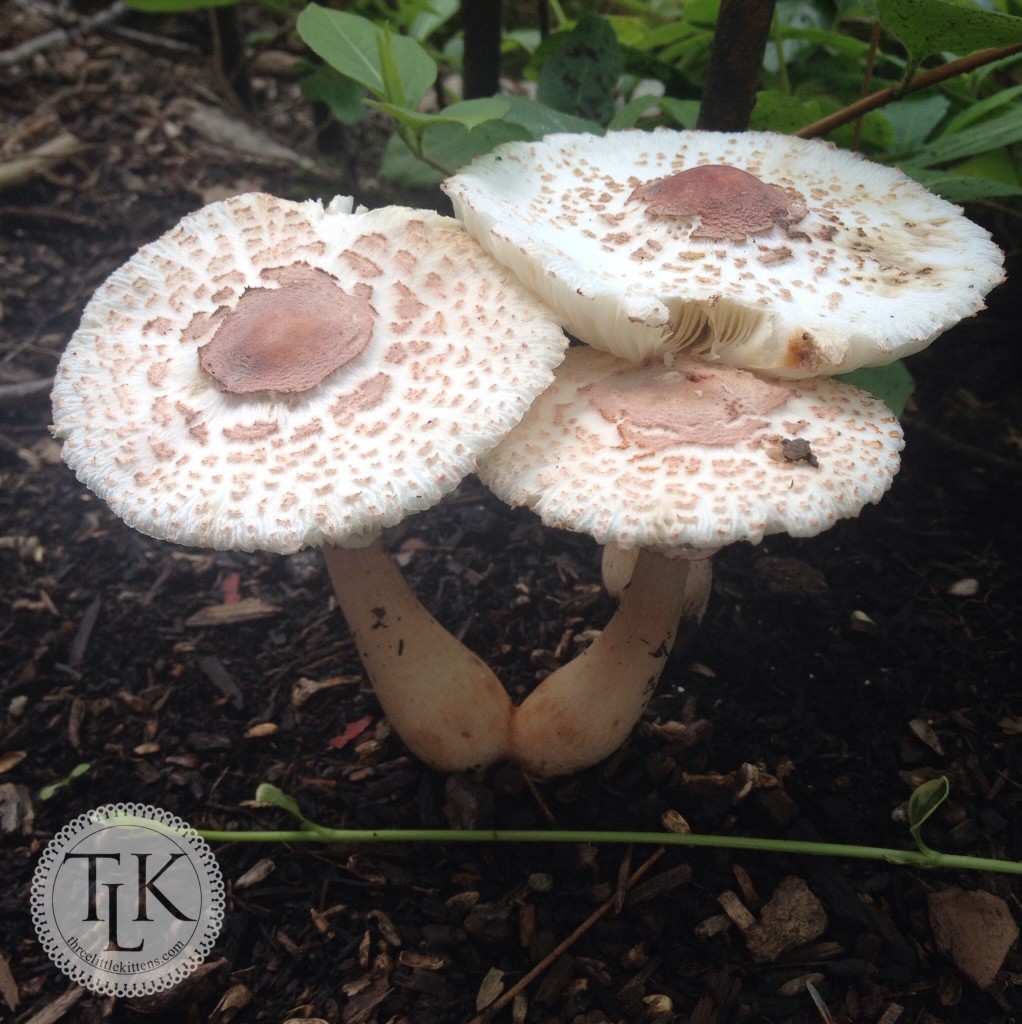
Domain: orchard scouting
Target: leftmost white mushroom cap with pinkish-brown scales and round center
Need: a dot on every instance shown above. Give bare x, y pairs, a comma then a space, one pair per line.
278, 375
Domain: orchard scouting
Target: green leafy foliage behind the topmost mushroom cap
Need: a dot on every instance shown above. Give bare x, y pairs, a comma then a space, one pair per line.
961, 139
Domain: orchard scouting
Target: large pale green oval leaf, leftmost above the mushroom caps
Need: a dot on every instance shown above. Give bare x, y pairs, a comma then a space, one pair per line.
351, 45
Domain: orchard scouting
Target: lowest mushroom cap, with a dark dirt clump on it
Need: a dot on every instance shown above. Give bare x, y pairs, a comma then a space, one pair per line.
694, 456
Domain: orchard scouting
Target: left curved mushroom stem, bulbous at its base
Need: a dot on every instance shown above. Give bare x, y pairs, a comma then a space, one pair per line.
445, 703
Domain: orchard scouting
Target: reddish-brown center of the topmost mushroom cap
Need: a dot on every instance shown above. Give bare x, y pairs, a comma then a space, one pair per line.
728, 202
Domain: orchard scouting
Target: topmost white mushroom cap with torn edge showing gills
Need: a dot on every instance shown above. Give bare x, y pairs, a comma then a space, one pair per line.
814, 262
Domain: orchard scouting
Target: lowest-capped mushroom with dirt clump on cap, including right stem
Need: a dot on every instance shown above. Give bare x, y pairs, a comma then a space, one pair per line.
677, 458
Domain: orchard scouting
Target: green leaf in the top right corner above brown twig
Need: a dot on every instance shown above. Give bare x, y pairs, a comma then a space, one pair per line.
926, 27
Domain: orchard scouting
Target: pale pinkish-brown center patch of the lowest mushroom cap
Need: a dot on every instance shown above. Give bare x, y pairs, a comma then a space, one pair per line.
655, 407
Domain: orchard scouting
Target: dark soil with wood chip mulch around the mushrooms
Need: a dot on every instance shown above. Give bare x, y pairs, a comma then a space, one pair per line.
828, 679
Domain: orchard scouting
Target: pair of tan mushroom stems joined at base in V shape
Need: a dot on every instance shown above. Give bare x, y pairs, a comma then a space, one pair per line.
451, 709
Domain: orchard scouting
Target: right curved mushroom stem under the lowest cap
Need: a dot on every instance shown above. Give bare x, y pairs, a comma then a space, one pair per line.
585, 711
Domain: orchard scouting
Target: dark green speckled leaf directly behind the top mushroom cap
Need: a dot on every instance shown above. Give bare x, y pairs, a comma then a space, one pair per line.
581, 75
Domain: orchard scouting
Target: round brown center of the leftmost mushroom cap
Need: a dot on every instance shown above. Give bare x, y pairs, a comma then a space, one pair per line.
288, 339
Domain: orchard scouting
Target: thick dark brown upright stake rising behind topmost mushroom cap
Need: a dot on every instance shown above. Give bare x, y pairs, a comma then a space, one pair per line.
740, 41
